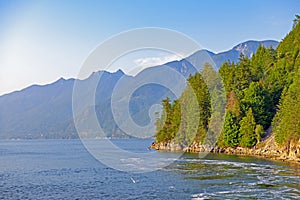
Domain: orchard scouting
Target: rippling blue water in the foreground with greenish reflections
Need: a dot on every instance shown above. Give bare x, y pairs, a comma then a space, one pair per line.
63, 169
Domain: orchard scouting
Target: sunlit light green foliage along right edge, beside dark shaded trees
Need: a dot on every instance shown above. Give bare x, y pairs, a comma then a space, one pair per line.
284, 83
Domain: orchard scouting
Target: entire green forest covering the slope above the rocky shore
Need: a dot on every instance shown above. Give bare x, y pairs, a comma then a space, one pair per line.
255, 90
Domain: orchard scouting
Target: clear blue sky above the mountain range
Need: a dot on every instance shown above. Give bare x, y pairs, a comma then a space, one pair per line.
41, 41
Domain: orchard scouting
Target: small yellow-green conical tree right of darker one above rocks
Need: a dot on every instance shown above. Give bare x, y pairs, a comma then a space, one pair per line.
247, 130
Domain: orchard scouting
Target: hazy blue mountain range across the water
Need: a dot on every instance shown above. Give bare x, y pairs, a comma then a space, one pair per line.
46, 111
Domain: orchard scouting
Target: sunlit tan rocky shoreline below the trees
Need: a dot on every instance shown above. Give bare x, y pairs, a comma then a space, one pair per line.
267, 149
